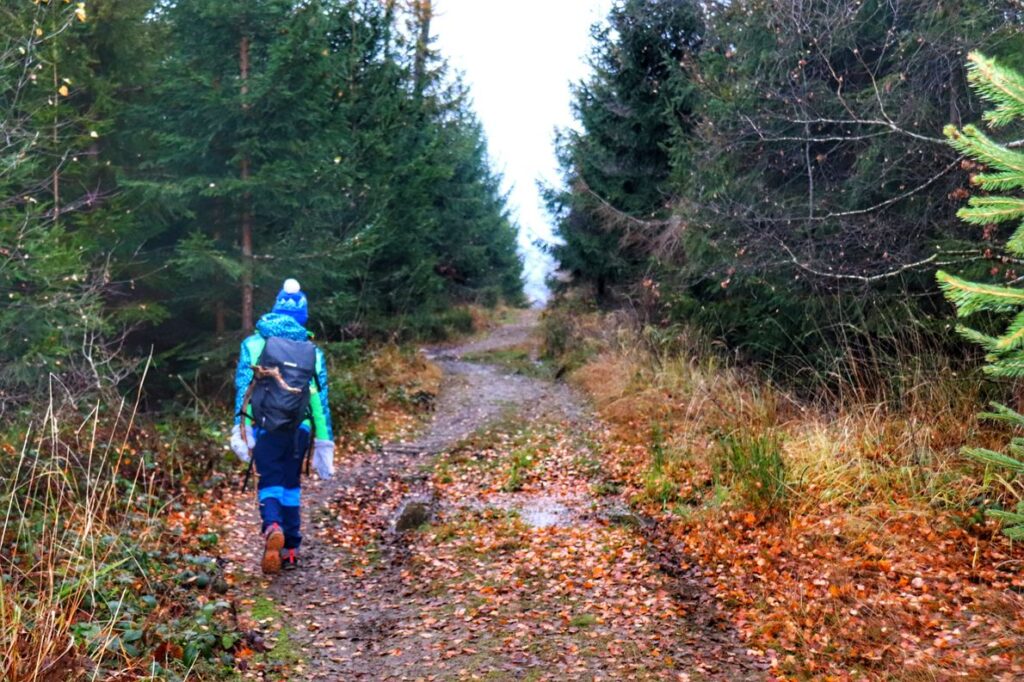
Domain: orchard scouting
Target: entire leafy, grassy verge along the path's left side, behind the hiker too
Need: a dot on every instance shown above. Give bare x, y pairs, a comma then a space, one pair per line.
108, 560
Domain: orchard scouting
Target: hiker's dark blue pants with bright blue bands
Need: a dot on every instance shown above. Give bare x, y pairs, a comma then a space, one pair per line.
279, 462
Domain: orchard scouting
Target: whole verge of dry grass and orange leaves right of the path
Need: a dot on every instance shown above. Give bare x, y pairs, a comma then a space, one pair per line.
841, 528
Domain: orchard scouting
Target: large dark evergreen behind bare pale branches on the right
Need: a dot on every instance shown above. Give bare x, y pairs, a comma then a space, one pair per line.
819, 177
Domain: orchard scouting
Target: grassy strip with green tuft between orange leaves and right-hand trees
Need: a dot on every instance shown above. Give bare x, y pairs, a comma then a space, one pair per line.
674, 393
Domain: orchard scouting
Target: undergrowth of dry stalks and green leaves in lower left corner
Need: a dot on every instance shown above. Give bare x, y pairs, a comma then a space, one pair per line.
96, 583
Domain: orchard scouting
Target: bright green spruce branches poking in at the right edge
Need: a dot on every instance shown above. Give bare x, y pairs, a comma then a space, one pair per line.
1004, 177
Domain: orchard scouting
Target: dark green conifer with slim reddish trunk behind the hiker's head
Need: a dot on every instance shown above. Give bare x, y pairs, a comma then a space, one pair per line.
234, 122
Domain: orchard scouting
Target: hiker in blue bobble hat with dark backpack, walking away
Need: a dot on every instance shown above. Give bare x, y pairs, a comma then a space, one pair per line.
281, 406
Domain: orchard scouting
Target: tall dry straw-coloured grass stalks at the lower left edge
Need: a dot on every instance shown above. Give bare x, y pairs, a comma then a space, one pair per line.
63, 499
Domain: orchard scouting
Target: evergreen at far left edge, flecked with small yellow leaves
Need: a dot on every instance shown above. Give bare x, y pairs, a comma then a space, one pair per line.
61, 218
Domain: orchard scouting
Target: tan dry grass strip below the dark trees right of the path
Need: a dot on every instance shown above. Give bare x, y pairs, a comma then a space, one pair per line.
854, 452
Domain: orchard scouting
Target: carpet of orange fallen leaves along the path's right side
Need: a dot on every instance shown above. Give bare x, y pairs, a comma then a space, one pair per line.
831, 590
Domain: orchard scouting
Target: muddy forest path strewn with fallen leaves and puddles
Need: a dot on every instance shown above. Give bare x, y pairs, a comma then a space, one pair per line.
517, 569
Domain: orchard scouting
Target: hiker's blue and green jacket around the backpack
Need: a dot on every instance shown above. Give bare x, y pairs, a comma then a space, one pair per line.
285, 327
